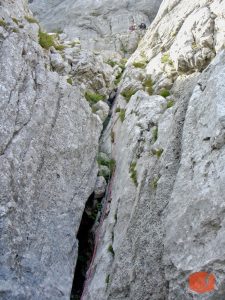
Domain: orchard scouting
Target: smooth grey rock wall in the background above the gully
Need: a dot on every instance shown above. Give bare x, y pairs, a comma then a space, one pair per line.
99, 24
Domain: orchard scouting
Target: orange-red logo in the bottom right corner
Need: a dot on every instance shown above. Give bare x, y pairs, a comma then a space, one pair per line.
202, 282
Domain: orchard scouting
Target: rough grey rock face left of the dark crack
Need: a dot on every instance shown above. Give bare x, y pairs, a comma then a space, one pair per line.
48, 148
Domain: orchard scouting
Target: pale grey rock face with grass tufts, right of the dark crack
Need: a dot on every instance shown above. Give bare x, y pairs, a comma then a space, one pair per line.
166, 218
